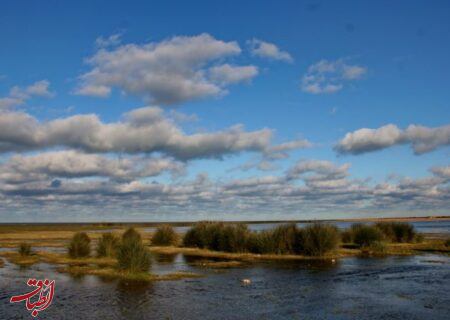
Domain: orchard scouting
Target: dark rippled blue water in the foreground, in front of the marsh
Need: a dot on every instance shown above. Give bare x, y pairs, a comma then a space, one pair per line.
354, 288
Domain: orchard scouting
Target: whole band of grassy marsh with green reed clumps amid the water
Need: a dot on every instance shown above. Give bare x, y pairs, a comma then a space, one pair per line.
127, 254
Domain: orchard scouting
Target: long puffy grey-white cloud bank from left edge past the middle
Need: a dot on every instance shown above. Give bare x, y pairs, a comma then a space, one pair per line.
144, 130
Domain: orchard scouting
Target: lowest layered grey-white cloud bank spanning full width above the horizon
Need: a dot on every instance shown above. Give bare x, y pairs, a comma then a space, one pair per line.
310, 186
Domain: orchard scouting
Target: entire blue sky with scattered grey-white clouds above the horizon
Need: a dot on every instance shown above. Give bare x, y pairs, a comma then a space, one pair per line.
175, 110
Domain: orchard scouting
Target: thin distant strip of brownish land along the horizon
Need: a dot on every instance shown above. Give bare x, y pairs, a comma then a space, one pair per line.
189, 223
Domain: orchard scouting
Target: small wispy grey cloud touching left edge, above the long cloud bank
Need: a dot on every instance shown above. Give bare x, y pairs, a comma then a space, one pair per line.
19, 96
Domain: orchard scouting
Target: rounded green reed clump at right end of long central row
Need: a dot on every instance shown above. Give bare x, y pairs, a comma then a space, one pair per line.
319, 239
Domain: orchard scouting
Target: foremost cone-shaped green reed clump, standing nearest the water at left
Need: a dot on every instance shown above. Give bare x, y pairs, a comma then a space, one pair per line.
132, 255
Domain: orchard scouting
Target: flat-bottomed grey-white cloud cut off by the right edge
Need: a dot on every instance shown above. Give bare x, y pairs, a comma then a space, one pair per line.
422, 139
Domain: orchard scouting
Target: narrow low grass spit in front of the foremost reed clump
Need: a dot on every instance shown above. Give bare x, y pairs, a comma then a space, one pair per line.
114, 273
